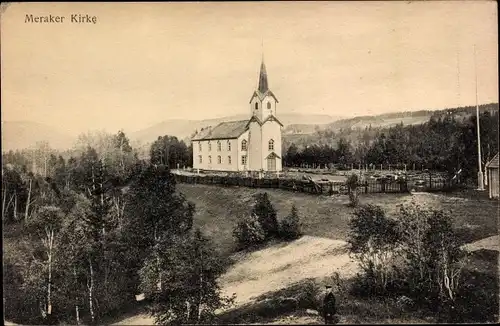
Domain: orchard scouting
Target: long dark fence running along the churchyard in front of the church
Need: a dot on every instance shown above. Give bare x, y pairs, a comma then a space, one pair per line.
305, 186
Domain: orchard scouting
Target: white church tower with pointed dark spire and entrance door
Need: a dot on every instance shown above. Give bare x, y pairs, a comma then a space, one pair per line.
264, 138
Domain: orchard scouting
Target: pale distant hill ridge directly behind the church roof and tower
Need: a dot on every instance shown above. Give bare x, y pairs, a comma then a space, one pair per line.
183, 129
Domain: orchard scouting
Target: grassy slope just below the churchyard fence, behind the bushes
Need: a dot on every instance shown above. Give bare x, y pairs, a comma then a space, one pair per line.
219, 208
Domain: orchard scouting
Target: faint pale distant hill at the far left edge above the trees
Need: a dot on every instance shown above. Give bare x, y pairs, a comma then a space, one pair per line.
24, 134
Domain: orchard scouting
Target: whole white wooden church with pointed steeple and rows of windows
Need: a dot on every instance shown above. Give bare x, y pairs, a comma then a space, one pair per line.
246, 145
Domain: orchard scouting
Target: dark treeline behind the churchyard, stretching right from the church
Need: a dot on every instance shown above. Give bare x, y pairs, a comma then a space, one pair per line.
443, 144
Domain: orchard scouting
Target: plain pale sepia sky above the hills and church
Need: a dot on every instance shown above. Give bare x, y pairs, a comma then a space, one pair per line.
144, 63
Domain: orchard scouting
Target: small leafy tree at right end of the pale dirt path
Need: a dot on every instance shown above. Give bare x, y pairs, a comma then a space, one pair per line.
373, 239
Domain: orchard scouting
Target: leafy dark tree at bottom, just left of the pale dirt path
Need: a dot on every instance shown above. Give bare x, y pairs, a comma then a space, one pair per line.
190, 266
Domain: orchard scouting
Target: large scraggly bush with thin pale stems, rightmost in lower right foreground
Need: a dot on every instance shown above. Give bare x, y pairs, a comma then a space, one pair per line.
433, 258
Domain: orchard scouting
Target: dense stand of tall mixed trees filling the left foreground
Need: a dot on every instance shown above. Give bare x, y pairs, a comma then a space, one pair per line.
84, 235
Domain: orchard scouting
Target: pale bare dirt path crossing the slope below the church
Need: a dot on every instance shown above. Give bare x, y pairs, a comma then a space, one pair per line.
277, 267
